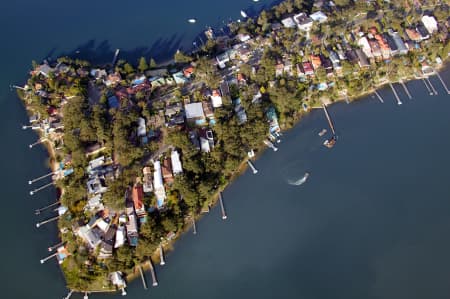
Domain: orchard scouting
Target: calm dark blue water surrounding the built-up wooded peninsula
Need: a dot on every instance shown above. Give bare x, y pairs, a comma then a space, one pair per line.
371, 221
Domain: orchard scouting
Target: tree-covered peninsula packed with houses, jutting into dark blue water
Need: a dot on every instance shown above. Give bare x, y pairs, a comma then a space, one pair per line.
139, 151
